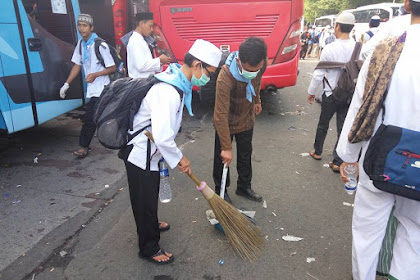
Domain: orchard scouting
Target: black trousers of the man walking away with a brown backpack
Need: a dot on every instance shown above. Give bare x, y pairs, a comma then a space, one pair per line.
328, 108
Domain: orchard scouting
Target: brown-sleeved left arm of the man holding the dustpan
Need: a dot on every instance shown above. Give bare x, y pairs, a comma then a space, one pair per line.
224, 86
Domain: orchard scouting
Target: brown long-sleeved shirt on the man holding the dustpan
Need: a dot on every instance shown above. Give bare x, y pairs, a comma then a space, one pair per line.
233, 113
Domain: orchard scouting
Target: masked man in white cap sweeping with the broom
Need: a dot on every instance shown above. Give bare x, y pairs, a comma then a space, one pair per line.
161, 114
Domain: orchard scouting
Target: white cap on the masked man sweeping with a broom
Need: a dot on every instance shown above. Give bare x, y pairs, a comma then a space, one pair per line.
206, 52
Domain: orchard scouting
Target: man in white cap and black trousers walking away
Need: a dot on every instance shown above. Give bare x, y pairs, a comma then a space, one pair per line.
338, 51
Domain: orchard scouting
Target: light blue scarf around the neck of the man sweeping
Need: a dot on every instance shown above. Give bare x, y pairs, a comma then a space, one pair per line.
174, 76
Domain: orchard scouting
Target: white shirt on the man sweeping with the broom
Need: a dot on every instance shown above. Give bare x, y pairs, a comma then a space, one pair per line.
162, 108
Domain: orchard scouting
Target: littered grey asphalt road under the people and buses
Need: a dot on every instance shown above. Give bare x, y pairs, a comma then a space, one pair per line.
64, 218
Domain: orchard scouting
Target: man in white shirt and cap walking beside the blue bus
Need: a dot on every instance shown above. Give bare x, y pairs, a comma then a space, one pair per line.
96, 76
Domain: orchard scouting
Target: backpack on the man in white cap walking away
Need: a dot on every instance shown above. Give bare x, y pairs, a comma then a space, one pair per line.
346, 84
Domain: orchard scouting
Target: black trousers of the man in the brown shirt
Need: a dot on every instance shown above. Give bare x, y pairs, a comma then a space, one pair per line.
243, 165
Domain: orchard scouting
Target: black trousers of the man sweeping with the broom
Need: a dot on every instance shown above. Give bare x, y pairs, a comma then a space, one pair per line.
144, 191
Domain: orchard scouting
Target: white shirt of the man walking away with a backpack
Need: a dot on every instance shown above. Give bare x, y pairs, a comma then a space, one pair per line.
339, 51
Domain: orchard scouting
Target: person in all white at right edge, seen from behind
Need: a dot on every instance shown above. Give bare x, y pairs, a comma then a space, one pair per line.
392, 68
